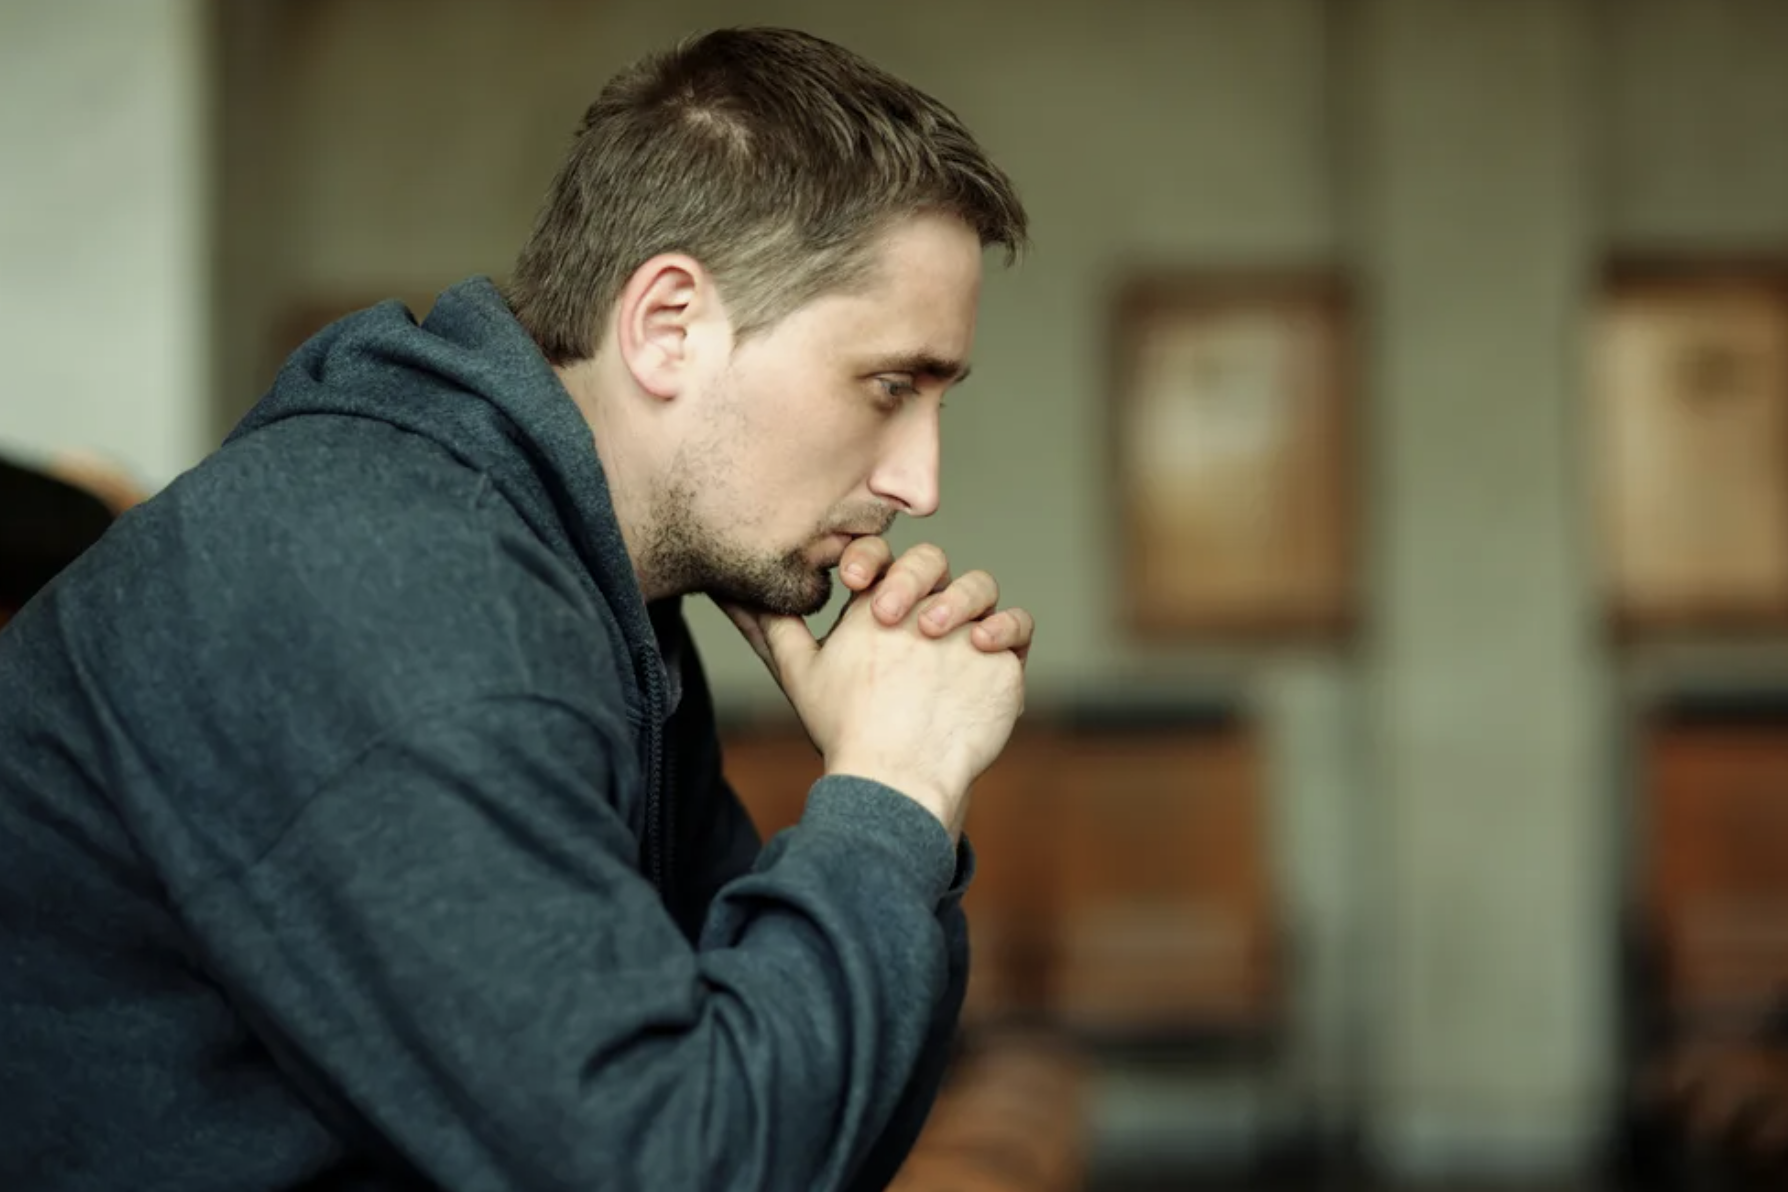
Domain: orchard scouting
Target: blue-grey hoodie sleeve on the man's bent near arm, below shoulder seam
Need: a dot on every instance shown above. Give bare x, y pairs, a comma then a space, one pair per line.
455, 941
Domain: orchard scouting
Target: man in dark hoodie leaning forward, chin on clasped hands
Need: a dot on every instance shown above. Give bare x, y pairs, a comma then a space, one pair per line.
362, 818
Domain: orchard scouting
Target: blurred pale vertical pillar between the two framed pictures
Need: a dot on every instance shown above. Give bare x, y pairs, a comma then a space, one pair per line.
1485, 673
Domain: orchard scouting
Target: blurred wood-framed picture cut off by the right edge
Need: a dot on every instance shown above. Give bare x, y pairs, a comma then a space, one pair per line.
1689, 390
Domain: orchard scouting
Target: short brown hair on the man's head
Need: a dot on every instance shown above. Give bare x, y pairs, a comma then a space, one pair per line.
768, 155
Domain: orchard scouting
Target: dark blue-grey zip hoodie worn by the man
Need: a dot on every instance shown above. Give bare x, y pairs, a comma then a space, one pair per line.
355, 832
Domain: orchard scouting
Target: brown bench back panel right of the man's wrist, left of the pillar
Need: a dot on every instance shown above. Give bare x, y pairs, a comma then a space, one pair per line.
1167, 916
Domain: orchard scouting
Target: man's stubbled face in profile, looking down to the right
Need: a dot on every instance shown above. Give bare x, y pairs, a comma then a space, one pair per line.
823, 428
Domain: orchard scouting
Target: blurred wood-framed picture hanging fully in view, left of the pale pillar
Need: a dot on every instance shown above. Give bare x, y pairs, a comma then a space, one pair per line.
1235, 471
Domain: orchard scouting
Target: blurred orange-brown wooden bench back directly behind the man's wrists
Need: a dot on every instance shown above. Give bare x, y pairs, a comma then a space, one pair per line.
1124, 884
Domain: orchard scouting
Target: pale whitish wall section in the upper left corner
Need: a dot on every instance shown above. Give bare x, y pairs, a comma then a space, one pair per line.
105, 289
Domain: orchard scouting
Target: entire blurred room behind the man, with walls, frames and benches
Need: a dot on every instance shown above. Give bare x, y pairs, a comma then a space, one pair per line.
1388, 432
